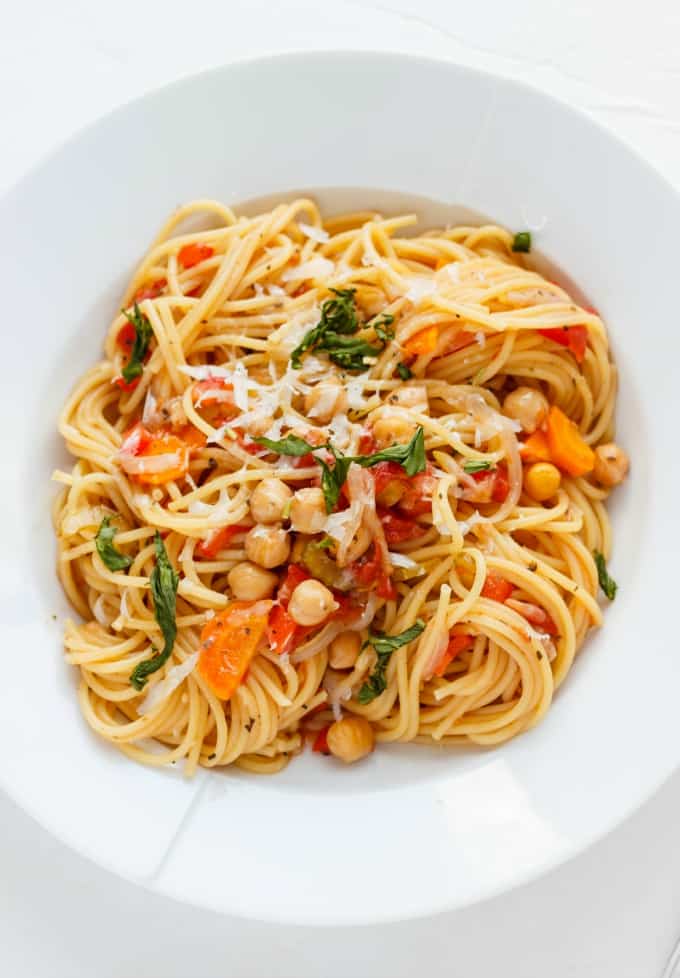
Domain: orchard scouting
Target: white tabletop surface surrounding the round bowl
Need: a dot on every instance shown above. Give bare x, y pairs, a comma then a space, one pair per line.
614, 911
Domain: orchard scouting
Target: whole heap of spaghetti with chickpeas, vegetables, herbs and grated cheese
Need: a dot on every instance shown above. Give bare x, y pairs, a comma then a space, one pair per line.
458, 586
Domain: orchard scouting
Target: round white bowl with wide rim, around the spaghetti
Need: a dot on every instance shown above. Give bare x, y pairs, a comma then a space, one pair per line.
410, 831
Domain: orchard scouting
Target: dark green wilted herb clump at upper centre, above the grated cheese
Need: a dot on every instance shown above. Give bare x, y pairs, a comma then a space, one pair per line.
335, 332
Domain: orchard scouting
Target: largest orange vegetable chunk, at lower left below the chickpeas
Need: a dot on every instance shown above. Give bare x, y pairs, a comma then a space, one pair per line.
229, 642
